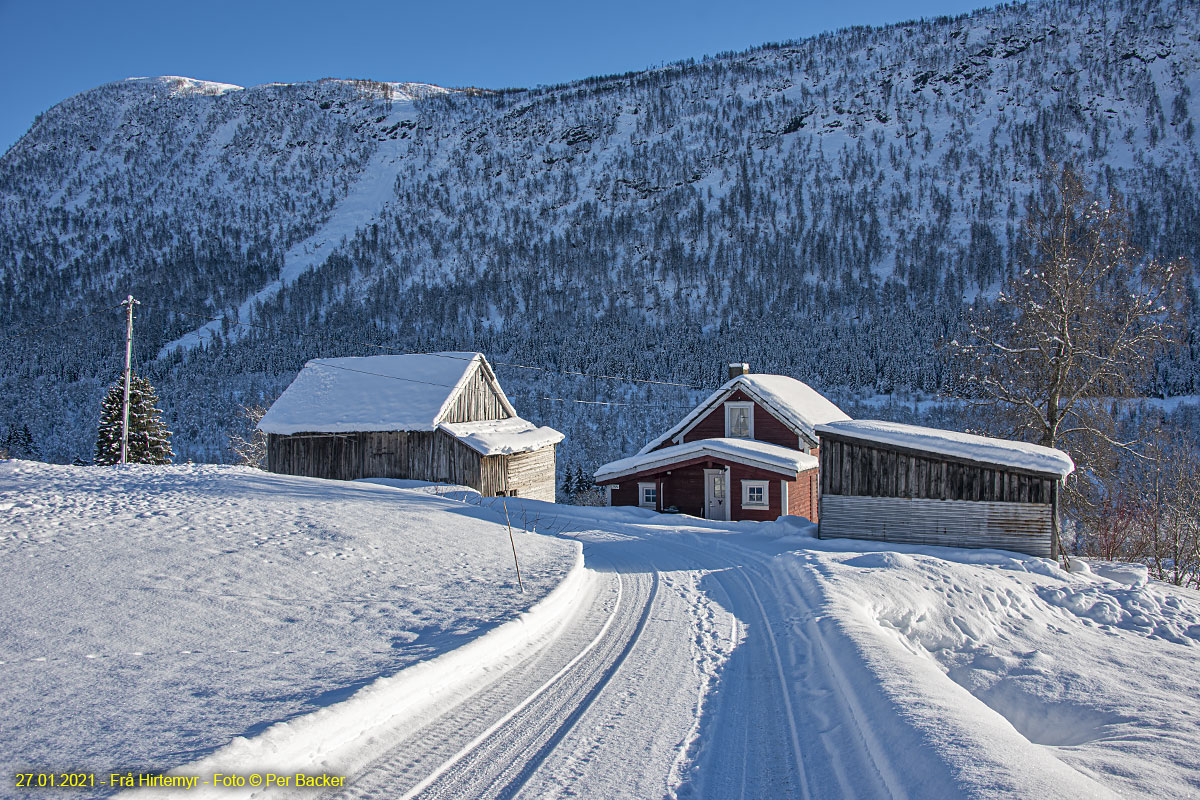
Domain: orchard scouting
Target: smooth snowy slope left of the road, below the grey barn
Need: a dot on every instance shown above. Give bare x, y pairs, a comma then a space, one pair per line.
149, 616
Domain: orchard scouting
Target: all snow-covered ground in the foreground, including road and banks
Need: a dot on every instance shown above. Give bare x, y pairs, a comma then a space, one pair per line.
688, 660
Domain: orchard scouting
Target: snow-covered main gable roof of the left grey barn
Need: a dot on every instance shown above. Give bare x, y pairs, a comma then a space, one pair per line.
380, 393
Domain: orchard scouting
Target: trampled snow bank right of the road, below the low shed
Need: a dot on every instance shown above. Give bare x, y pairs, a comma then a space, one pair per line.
1027, 679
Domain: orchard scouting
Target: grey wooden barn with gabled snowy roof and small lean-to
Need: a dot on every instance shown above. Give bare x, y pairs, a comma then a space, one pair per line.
431, 417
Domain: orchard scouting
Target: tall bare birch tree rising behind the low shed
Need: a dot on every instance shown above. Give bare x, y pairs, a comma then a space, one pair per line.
1077, 328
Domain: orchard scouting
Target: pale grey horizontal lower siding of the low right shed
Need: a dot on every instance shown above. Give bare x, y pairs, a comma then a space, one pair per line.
1021, 527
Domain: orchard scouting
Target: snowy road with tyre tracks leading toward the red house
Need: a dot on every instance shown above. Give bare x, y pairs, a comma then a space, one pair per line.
691, 672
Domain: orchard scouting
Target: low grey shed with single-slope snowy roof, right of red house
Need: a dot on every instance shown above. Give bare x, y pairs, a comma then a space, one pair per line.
897, 483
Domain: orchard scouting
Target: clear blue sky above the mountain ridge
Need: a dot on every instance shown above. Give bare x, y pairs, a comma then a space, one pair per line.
53, 50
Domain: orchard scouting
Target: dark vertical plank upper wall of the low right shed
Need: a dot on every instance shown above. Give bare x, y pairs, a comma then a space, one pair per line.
861, 470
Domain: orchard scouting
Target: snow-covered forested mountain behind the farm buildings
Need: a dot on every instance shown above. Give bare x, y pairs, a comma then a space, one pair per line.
821, 208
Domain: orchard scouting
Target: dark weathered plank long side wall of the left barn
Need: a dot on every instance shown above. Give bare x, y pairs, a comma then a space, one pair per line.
418, 455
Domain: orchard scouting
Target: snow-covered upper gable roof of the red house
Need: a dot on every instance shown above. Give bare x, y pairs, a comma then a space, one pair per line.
794, 402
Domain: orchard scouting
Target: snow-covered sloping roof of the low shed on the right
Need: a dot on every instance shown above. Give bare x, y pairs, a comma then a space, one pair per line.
970, 447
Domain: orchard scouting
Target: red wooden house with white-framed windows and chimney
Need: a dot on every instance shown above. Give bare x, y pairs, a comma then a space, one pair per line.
747, 453
